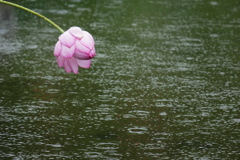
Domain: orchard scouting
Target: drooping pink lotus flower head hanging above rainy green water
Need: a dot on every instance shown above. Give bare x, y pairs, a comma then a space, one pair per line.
74, 48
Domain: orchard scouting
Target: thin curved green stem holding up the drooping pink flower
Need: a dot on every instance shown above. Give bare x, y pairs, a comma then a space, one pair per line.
33, 12
